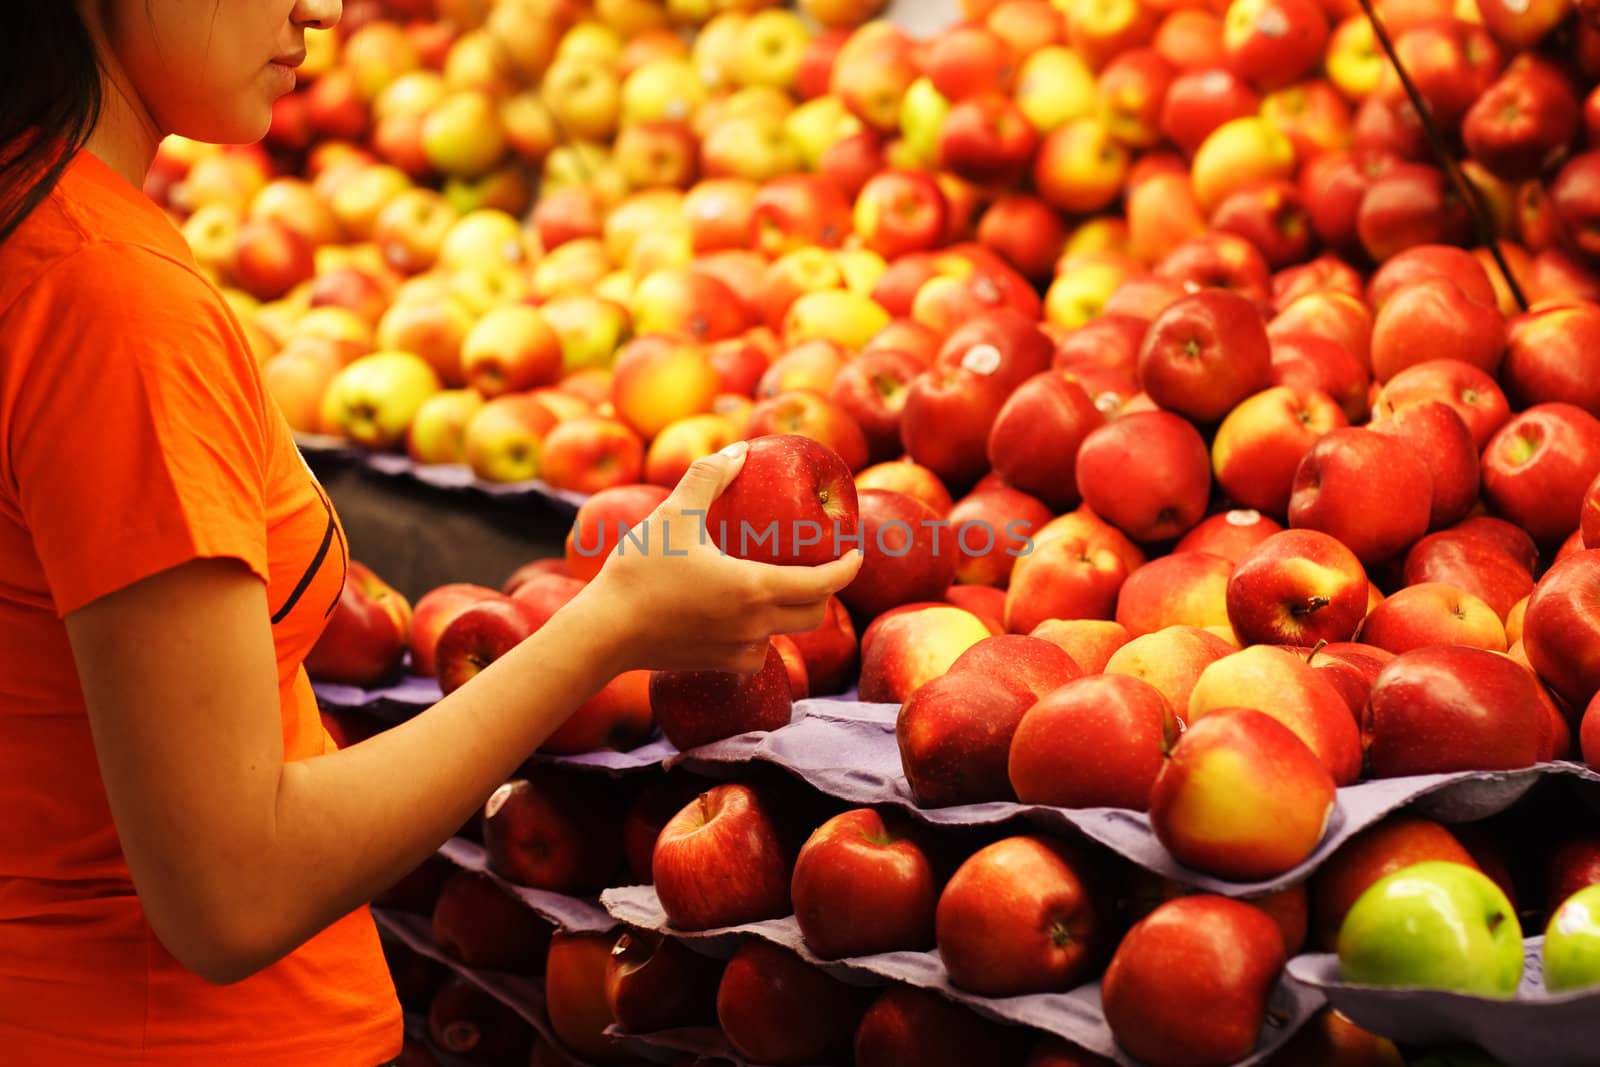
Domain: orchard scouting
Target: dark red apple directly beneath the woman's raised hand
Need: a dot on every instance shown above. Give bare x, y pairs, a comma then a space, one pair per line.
697, 708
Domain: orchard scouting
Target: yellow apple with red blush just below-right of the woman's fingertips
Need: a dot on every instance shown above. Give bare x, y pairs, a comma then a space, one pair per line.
911, 645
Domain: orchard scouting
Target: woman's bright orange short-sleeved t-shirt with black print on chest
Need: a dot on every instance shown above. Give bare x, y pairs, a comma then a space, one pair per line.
135, 434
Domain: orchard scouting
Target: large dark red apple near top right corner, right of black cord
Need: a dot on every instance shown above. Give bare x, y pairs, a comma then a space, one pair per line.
1522, 122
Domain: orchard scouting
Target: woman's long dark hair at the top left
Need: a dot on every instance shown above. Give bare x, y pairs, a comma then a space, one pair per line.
50, 100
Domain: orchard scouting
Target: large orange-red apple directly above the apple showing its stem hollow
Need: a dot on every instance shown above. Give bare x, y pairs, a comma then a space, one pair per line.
1374, 492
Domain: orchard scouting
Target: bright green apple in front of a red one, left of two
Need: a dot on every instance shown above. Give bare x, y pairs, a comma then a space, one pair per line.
1433, 925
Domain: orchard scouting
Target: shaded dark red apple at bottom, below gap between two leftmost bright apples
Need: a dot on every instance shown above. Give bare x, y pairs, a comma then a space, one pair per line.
777, 1009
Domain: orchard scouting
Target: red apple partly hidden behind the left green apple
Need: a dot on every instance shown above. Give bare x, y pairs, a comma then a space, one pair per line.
1399, 841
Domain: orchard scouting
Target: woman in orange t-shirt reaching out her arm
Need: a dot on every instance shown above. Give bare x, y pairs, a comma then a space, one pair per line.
185, 858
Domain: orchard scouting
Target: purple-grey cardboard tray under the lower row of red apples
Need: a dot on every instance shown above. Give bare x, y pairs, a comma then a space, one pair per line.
1074, 1017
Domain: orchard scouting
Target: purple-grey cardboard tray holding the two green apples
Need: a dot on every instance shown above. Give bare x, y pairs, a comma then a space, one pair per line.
1532, 1029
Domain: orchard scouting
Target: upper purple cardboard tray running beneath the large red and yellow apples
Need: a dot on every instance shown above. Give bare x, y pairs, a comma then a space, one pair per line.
849, 751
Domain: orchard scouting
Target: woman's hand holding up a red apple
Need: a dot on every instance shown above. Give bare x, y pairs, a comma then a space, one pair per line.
681, 604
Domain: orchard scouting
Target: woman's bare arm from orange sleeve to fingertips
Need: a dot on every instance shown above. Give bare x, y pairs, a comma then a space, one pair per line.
239, 857
